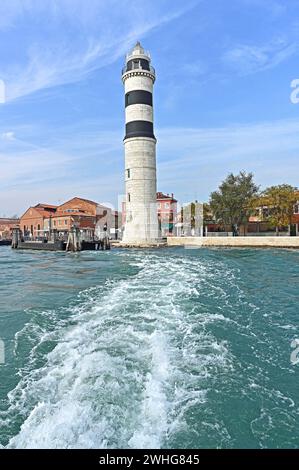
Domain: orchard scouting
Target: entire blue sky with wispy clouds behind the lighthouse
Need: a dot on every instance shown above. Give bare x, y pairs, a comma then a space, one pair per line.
222, 95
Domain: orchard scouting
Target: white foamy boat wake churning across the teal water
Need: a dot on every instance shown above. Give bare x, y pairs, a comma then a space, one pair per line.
130, 363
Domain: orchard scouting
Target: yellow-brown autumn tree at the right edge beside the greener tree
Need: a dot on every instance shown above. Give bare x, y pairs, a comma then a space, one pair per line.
277, 204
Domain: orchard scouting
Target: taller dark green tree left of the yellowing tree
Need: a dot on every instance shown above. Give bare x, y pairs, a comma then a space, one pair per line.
231, 203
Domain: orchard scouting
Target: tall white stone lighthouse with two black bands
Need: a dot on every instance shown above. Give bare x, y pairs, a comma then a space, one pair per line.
138, 76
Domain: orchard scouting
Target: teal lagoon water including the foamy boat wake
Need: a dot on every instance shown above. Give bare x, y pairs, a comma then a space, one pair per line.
169, 348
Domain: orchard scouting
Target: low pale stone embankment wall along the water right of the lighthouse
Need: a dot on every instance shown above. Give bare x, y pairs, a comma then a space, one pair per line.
238, 242
